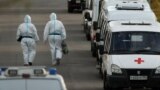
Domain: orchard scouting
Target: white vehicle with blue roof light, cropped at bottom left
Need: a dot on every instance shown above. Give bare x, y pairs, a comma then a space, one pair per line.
30, 78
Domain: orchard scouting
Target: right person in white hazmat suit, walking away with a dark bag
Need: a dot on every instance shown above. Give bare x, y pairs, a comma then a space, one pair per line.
55, 33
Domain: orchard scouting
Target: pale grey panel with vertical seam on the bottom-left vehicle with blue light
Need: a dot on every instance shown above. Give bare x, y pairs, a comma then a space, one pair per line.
30, 84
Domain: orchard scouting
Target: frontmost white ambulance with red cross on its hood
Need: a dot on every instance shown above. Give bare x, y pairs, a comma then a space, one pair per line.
131, 56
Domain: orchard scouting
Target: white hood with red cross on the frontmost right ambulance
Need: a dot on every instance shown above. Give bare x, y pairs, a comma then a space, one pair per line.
136, 61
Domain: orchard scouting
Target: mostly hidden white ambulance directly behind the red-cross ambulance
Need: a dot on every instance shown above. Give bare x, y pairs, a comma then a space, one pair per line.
119, 12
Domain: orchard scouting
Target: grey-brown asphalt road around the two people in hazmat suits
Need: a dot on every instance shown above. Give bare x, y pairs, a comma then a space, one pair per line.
77, 68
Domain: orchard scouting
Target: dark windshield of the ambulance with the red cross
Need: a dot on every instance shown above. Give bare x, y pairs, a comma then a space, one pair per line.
135, 43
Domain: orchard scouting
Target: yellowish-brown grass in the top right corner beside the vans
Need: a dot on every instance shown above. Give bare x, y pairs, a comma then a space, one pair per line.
155, 5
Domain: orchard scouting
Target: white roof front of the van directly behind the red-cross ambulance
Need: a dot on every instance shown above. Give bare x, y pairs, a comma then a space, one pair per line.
112, 15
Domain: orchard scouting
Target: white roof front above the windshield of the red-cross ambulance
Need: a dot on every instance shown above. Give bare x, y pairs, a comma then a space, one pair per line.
147, 26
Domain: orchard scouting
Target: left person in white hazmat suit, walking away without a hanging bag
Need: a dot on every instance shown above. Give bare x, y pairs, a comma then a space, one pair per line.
29, 38
